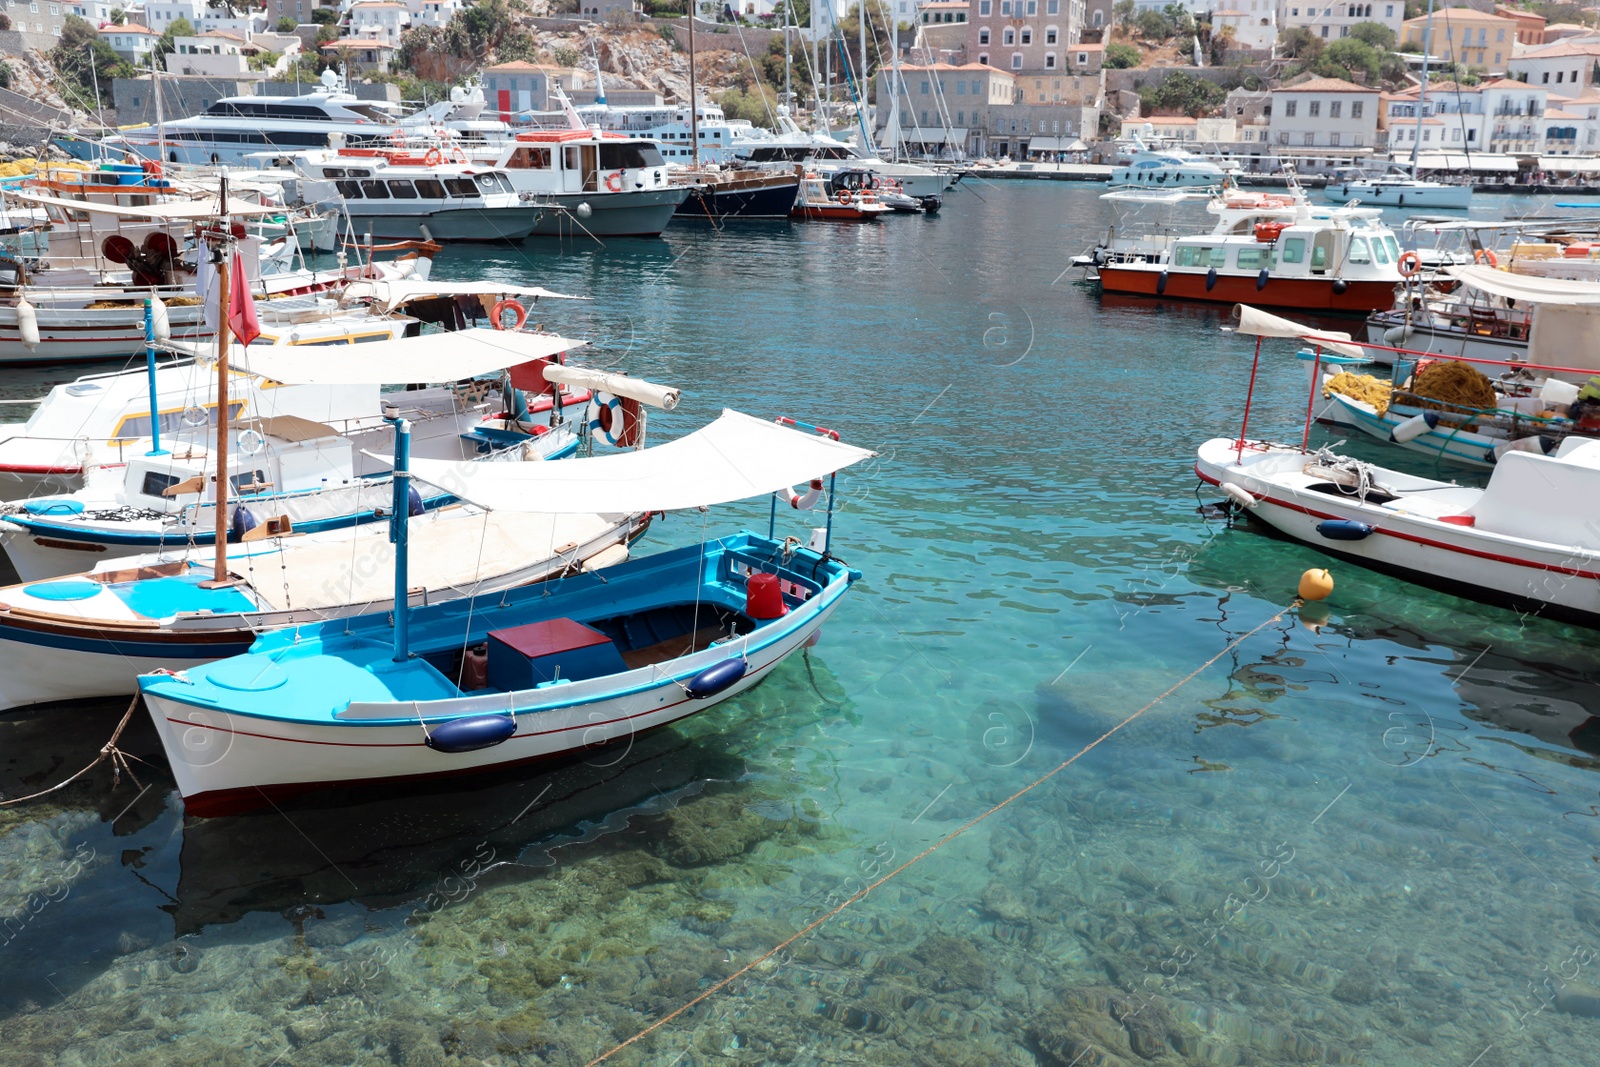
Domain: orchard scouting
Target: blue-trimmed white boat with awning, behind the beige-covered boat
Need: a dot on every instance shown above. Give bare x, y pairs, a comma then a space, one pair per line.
306, 474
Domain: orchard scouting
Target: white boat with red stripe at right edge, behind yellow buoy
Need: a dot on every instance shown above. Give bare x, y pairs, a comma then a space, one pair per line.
1529, 540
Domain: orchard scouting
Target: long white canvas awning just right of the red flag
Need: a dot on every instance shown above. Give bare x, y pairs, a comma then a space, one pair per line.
431, 359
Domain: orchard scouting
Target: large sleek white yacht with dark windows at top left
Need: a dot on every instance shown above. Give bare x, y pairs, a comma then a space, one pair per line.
239, 126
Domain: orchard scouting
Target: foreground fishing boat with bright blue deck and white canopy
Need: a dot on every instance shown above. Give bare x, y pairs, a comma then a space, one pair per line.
590, 661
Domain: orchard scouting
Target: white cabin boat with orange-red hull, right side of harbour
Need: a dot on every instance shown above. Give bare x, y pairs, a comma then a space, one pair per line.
1266, 249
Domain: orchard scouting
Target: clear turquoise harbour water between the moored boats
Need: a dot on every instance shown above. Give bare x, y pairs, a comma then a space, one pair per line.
1359, 837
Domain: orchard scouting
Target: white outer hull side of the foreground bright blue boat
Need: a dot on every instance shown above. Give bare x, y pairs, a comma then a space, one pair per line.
217, 754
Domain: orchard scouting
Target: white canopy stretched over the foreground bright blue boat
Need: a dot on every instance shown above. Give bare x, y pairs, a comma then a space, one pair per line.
735, 458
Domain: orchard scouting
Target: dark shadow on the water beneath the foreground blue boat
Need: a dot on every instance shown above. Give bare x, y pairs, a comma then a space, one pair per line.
161, 877
